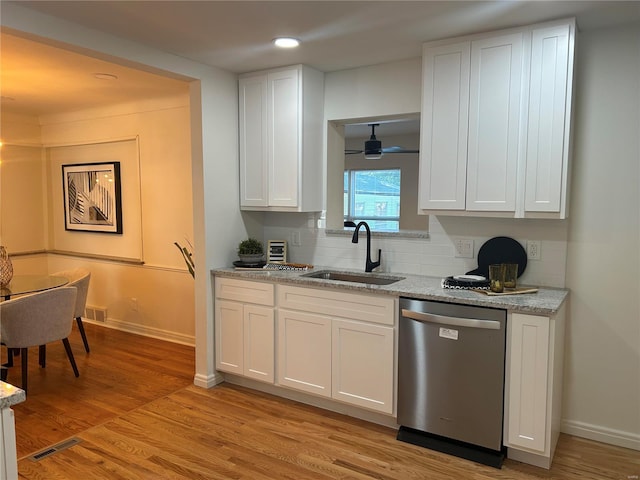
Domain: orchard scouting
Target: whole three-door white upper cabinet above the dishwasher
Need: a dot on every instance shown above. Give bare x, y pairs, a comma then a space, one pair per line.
495, 123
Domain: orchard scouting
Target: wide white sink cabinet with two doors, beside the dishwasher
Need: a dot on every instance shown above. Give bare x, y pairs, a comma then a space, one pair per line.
338, 345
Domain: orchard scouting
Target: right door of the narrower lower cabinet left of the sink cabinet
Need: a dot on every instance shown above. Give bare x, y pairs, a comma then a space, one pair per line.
259, 343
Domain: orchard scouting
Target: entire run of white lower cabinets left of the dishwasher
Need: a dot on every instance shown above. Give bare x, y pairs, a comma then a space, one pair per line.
327, 343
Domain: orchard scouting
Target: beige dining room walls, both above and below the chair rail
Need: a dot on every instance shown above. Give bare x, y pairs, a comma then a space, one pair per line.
156, 298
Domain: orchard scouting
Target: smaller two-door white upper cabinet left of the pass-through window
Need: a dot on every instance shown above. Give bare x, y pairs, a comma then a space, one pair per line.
280, 114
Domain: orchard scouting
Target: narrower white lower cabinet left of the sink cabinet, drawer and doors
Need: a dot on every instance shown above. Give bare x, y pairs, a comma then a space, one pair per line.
245, 332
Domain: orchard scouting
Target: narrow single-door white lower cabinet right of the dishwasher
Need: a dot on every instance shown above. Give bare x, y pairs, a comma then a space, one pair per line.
533, 398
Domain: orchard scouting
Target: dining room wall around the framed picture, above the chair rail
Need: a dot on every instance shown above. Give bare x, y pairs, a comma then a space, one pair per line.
152, 141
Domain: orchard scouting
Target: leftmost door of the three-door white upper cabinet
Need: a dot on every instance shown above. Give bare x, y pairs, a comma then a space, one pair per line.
443, 147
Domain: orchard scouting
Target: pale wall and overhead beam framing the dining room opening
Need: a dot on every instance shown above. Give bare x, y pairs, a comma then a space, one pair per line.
214, 149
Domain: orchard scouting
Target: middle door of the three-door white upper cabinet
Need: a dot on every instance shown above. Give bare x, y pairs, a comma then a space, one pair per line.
494, 121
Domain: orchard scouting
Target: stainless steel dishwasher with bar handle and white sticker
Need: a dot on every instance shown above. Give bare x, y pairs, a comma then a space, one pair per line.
451, 378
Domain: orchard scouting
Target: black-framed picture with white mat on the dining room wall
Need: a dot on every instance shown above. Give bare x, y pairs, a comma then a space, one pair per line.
92, 200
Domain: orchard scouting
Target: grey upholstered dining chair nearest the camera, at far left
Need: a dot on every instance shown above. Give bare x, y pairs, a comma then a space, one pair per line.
38, 319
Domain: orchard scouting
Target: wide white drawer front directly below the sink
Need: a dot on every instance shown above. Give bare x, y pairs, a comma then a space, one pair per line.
356, 306
